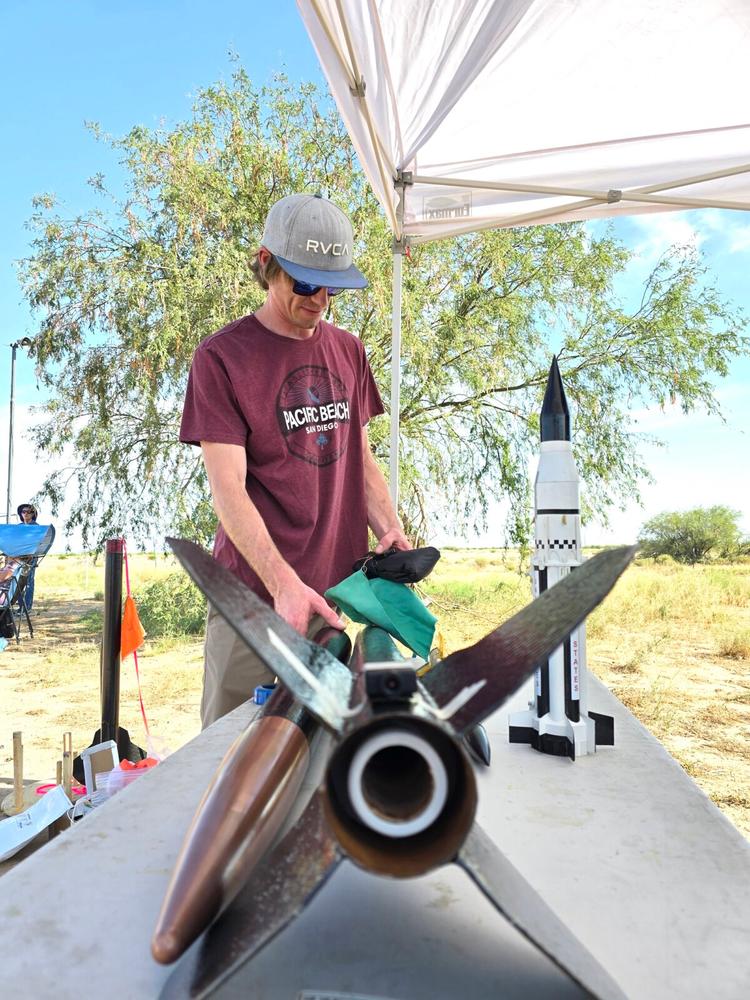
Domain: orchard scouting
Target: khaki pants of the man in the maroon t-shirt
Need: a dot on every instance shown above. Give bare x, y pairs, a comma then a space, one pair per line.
231, 671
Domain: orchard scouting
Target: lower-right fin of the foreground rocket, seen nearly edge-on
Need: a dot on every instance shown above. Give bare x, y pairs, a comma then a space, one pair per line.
520, 904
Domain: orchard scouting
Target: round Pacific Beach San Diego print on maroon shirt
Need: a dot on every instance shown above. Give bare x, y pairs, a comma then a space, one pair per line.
313, 411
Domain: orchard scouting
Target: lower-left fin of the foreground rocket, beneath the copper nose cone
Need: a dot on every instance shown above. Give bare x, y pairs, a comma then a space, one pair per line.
290, 876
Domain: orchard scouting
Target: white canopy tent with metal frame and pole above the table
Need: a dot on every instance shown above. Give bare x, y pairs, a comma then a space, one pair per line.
476, 114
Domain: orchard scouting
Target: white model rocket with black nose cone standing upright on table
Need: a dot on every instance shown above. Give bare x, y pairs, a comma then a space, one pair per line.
558, 720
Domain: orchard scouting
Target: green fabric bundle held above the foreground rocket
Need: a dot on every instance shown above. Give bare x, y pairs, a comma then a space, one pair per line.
392, 606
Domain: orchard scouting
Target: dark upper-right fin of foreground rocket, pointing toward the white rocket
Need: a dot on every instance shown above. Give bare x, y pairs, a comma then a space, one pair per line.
488, 672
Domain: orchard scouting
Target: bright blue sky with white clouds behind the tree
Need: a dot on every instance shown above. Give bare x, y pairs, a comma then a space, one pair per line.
142, 63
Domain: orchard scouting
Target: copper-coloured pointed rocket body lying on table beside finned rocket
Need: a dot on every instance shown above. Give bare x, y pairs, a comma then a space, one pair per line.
239, 817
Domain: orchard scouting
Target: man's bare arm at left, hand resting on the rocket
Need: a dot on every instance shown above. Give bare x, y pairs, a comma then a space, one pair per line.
226, 466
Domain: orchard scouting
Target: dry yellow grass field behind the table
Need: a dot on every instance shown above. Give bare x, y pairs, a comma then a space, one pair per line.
672, 642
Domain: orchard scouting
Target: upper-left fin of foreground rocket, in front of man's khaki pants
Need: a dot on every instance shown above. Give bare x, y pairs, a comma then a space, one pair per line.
316, 678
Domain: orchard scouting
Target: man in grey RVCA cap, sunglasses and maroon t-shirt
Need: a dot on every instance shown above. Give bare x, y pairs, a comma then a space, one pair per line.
279, 402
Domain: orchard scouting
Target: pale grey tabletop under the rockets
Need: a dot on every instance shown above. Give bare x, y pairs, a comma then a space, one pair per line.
622, 845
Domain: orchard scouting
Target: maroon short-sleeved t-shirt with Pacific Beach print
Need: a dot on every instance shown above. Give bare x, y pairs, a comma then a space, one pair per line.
297, 407
